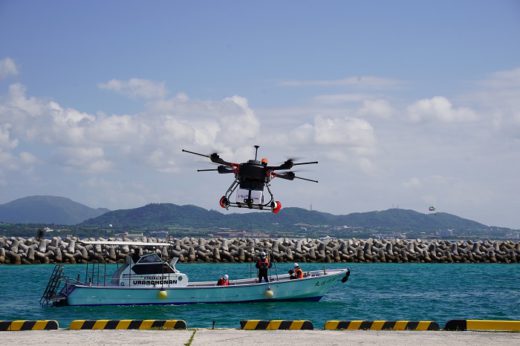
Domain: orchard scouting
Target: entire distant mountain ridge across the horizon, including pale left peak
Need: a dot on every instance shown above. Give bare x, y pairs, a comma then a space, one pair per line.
190, 219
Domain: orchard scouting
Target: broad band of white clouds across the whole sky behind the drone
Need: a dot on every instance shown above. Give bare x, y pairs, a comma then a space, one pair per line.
132, 157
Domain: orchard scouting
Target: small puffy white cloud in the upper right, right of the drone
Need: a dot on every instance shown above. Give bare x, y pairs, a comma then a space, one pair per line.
440, 109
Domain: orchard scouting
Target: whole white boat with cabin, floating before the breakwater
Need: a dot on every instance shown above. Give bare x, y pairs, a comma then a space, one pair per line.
149, 280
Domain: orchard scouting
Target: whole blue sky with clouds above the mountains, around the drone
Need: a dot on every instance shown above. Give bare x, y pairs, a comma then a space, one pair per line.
405, 104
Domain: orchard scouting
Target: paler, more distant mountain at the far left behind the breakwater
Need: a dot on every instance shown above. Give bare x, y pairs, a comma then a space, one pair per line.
47, 210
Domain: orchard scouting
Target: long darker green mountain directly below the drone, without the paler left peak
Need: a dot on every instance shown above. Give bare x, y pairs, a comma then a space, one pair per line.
292, 220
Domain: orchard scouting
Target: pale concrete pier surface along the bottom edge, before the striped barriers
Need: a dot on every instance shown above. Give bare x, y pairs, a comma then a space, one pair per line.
231, 337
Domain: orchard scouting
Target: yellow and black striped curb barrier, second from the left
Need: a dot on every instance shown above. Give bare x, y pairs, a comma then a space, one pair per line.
127, 324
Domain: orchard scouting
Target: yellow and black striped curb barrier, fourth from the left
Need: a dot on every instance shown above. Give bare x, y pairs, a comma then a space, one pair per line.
381, 325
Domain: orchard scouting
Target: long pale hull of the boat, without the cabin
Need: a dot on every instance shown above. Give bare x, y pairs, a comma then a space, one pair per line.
310, 288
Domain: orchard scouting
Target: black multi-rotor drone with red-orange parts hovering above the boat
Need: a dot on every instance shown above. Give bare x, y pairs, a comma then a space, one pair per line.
251, 178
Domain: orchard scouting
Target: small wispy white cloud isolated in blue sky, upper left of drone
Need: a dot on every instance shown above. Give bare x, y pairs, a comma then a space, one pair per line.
136, 88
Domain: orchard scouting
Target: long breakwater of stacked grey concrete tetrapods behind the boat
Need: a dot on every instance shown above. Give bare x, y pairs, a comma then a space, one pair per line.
17, 250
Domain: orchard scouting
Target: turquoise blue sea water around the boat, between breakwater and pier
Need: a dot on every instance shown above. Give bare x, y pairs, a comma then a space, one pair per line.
388, 291
